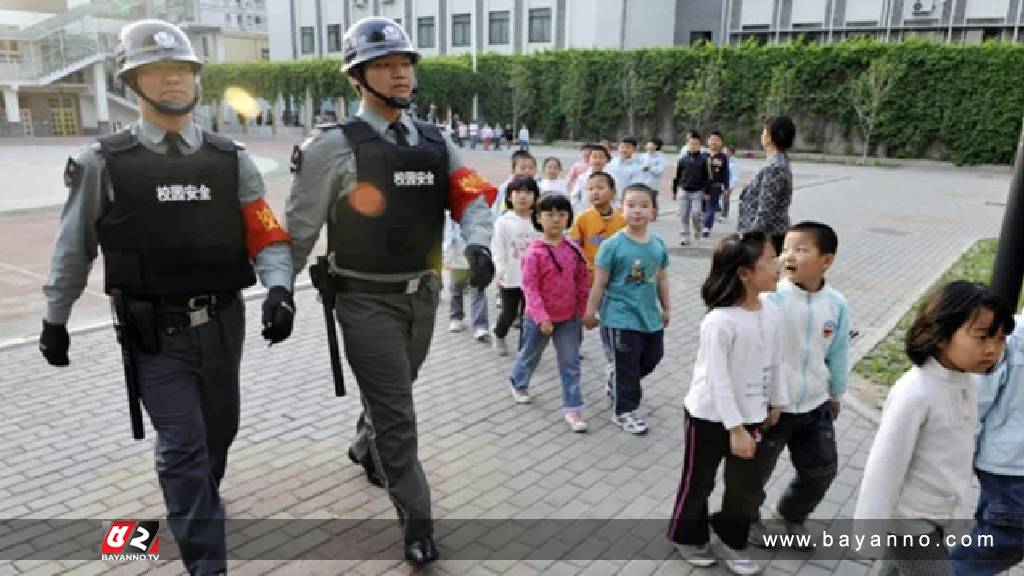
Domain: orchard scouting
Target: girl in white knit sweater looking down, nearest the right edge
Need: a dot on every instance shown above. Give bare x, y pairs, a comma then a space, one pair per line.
918, 477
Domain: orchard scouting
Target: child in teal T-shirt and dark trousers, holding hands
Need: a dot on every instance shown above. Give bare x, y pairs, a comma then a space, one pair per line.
631, 287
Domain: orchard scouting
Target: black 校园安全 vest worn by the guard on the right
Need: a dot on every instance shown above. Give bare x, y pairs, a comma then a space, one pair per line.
394, 220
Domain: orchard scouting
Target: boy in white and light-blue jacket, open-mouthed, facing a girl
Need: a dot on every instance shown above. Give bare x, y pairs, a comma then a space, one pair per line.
817, 341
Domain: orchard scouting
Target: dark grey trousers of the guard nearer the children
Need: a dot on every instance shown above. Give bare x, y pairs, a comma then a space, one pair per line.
387, 339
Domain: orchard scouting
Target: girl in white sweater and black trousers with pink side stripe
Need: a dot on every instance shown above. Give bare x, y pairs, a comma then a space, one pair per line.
736, 381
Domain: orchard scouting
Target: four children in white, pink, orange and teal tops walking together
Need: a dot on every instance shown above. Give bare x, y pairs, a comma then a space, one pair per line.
608, 270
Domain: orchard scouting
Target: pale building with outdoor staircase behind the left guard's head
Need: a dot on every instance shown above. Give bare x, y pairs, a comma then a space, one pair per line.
57, 69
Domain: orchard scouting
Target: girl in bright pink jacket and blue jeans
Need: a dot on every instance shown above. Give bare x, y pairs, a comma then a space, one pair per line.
556, 286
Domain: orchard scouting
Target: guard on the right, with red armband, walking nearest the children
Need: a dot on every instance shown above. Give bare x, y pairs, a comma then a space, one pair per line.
382, 183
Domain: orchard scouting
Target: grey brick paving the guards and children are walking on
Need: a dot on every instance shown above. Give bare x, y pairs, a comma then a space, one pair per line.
68, 452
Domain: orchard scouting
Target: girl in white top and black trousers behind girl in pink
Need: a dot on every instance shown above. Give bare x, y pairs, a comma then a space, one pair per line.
514, 233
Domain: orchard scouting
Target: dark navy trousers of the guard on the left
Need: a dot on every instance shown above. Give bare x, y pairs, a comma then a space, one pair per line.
191, 392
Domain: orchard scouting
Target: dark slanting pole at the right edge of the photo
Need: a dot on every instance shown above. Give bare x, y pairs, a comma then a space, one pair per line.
1008, 272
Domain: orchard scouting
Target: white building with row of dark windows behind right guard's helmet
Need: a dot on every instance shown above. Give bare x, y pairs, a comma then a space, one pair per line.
314, 29
